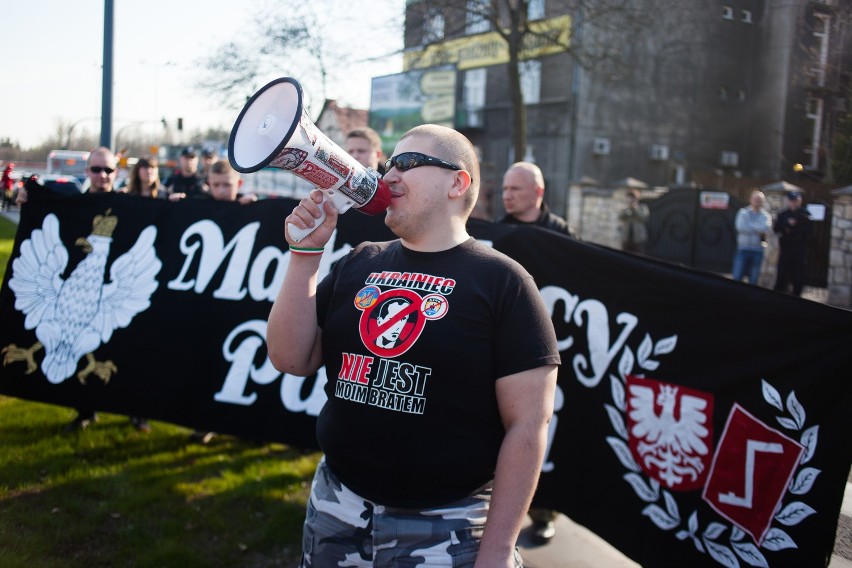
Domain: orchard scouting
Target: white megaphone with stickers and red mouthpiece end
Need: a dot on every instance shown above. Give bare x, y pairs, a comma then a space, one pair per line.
273, 130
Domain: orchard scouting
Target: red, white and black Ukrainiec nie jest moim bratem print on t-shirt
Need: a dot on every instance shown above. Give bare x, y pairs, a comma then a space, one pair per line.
391, 323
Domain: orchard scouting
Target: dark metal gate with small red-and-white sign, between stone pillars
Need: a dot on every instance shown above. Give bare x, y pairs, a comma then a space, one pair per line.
694, 227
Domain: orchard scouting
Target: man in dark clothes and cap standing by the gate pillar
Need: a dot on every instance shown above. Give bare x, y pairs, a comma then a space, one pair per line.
793, 227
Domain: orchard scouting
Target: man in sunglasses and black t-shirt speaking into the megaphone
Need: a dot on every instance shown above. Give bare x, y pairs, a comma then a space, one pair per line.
432, 443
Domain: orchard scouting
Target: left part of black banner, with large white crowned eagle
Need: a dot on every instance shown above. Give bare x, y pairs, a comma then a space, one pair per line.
190, 347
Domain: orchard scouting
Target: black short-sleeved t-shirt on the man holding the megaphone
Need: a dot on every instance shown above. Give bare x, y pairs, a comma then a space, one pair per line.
413, 344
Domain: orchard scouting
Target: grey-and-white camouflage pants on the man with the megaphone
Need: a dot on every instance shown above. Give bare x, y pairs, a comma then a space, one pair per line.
343, 529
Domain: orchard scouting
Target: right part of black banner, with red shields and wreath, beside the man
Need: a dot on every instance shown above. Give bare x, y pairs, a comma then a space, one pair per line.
701, 421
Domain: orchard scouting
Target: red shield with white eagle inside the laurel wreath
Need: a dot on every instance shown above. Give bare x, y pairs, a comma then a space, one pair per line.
670, 431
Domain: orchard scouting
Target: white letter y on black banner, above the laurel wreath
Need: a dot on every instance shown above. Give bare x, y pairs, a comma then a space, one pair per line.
600, 352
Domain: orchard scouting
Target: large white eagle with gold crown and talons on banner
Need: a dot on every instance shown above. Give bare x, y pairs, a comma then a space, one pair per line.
72, 317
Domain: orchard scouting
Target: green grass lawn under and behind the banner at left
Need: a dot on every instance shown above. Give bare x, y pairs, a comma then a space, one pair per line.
112, 496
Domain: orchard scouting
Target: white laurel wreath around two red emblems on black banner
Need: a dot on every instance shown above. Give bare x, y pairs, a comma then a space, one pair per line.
662, 508
